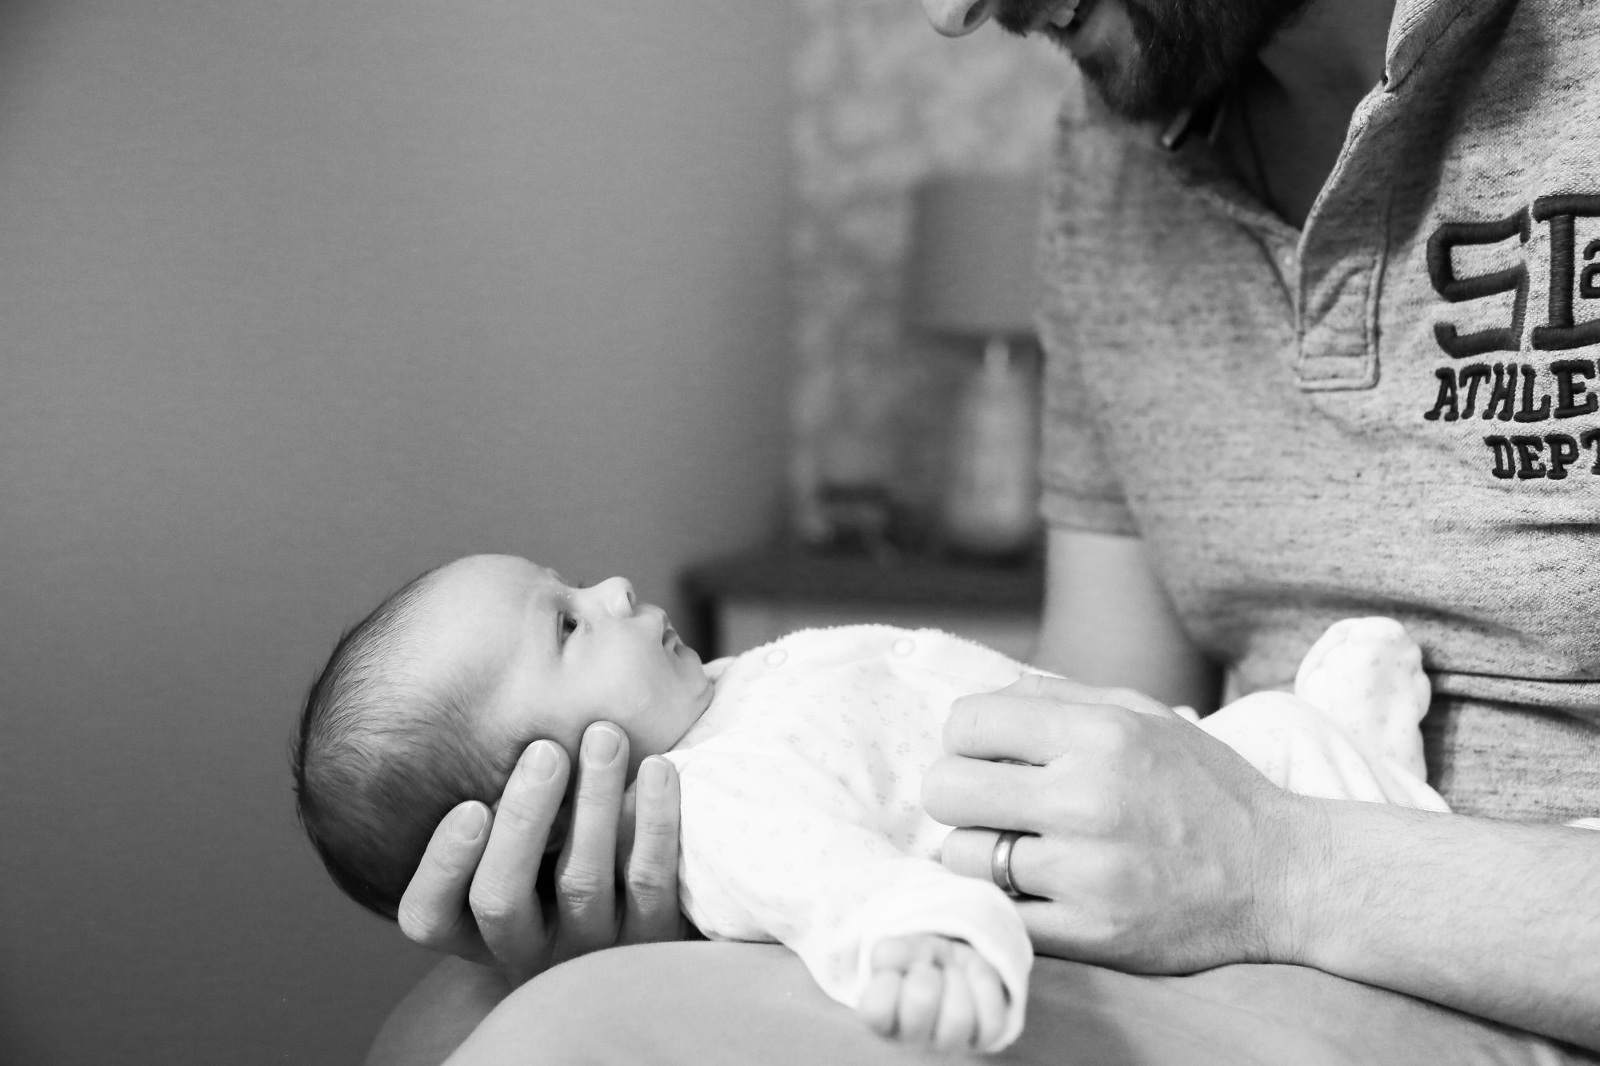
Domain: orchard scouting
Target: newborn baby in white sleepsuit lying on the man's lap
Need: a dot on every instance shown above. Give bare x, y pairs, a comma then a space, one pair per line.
801, 764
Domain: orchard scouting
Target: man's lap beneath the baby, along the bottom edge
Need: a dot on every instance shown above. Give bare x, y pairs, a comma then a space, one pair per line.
702, 1004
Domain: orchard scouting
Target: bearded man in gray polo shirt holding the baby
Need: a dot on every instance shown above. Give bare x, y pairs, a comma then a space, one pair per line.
1319, 348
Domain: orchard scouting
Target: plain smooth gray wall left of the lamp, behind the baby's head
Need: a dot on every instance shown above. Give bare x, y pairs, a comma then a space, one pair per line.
298, 299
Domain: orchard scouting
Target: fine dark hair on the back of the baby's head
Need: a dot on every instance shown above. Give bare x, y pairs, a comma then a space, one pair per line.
385, 755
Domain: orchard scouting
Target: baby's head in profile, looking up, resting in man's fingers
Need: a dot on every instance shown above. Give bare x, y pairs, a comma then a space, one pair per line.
431, 699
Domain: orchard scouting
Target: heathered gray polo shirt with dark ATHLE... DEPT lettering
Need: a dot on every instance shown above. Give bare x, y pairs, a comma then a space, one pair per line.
1393, 412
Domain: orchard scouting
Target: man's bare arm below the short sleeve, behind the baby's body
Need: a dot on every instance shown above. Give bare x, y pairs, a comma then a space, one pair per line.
1110, 623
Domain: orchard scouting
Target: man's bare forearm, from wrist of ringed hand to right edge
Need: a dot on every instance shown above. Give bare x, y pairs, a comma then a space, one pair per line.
1495, 920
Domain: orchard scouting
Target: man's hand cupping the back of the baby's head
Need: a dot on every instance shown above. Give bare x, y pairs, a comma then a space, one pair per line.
476, 896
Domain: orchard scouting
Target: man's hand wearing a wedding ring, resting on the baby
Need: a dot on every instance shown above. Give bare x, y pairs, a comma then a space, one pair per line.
1156, 848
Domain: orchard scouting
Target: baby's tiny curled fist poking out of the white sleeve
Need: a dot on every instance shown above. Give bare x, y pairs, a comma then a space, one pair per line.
935, 990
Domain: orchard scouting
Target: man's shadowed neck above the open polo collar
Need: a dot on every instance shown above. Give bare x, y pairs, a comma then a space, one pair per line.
1318, 71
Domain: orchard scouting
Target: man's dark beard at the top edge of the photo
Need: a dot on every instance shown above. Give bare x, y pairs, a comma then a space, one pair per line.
1186, 52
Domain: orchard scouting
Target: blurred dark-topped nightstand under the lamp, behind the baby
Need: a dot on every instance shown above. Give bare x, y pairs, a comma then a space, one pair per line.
745, 601
